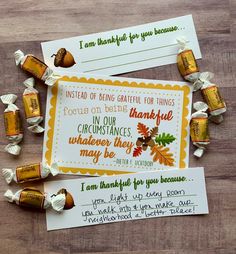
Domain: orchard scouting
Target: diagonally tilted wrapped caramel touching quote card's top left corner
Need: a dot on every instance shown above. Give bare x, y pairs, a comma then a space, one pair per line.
35, 67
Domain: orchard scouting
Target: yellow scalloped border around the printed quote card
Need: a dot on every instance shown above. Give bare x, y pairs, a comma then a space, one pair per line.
97, 172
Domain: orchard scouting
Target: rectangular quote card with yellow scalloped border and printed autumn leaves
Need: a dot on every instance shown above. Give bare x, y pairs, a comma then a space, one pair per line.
99, 125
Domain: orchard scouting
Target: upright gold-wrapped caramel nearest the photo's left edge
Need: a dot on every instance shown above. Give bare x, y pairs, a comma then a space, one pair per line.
12, 122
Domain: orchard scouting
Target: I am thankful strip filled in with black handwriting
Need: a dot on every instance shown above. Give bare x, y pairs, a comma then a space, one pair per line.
103, 200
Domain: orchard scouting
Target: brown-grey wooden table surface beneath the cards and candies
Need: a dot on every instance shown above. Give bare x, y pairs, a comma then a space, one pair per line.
23, 25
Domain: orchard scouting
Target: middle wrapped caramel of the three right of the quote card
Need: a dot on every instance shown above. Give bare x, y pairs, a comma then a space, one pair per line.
211, 94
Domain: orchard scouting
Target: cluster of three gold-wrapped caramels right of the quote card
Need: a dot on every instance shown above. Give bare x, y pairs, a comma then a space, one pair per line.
215, 104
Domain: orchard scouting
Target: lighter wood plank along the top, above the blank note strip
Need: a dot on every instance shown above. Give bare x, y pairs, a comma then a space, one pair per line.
50, 20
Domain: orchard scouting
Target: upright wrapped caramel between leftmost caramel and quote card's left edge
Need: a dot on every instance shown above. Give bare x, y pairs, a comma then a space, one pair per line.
32, 106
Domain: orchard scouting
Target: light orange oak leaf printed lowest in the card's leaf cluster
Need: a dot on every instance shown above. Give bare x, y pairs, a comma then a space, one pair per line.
162, 154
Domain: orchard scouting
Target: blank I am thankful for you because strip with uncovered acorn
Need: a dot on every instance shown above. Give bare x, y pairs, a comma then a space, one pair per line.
122, 50
